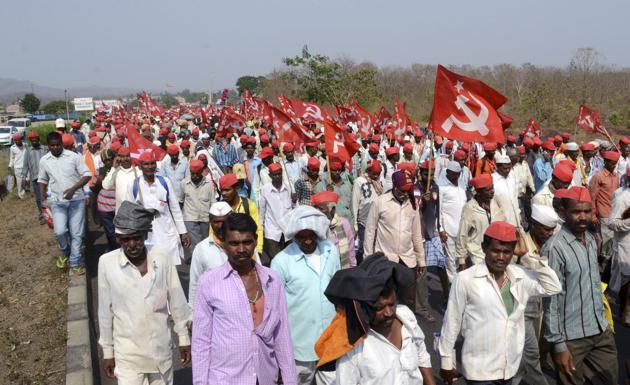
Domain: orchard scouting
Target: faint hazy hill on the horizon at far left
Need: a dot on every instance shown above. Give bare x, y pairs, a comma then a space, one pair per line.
10, 89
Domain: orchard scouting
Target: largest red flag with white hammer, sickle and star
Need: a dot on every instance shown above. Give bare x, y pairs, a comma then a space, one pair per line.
466, 109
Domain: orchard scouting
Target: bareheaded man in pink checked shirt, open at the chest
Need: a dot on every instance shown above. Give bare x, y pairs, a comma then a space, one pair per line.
241, 331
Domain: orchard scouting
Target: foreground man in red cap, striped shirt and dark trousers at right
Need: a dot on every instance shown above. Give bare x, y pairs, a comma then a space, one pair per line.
582, 343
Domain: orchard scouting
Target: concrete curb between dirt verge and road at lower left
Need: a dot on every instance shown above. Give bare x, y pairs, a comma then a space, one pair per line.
79, 349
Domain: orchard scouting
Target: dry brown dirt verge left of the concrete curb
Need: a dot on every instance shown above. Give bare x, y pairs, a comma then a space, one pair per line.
33, 296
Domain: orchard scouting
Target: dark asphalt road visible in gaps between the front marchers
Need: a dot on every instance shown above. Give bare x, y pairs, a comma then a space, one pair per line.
183, 376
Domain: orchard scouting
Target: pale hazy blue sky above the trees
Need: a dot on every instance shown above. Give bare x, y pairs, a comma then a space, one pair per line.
200, 43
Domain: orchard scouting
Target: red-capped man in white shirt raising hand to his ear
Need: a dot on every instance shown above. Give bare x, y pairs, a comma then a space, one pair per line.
486, 304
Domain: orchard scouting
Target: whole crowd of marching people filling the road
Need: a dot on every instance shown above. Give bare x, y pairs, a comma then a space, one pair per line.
305, 269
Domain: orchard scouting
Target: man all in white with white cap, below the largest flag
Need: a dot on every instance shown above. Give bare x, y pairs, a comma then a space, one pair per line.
452, 199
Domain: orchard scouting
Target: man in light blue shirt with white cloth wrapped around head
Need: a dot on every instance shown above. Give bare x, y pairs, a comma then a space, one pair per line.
306, 267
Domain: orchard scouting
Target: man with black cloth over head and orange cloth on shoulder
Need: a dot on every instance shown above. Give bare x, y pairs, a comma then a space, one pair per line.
393, 349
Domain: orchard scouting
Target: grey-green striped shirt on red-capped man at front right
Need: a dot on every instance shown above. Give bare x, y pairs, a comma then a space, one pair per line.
578, 311
